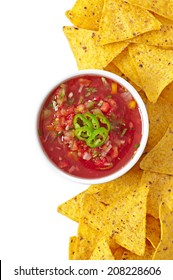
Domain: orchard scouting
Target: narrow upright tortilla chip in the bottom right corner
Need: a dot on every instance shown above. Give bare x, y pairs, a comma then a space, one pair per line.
164, 250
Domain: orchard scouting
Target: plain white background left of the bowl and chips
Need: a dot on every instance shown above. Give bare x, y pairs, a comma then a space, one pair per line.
34, 55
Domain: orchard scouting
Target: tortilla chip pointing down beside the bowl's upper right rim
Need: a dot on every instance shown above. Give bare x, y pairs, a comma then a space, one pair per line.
152, 62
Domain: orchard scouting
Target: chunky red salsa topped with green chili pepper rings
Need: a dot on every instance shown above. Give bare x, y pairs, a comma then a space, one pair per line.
90, 126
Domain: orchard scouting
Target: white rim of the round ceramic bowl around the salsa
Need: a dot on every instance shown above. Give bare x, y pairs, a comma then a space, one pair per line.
145, 127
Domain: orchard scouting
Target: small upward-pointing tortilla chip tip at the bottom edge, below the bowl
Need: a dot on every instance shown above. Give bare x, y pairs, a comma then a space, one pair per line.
102, 251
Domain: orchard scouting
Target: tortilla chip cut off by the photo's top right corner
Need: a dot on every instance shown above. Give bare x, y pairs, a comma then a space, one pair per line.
160, 7
